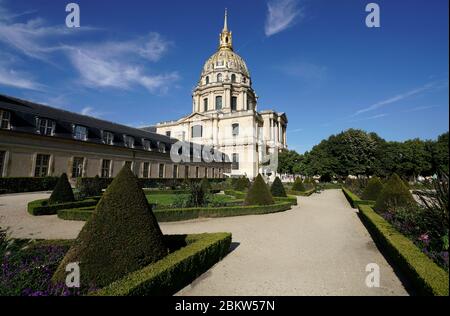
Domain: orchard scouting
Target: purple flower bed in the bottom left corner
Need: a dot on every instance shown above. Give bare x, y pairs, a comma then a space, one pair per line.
27, 269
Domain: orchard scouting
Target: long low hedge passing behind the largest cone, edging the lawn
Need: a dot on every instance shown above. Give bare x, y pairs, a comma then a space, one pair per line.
180, 214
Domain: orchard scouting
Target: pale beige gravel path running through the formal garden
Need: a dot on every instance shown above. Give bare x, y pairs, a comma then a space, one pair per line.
318, 248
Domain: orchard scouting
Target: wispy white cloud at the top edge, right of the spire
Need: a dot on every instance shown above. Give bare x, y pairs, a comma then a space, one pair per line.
281, 14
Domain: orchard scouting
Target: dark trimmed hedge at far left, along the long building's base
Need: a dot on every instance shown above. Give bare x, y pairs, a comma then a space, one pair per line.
26, 184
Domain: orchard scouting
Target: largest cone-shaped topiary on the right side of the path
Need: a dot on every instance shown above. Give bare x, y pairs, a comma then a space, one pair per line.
394, 194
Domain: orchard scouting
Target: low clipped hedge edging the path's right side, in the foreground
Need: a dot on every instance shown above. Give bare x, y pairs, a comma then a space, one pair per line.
426, 277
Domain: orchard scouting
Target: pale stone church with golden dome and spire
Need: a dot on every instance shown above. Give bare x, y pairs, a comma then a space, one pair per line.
224, 114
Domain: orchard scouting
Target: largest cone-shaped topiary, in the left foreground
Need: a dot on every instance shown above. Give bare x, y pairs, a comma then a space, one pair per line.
121, 236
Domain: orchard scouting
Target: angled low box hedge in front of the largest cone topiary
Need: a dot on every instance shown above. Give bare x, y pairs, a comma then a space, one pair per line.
170, 274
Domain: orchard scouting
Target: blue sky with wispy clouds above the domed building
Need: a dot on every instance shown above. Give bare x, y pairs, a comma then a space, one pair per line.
136, 62
